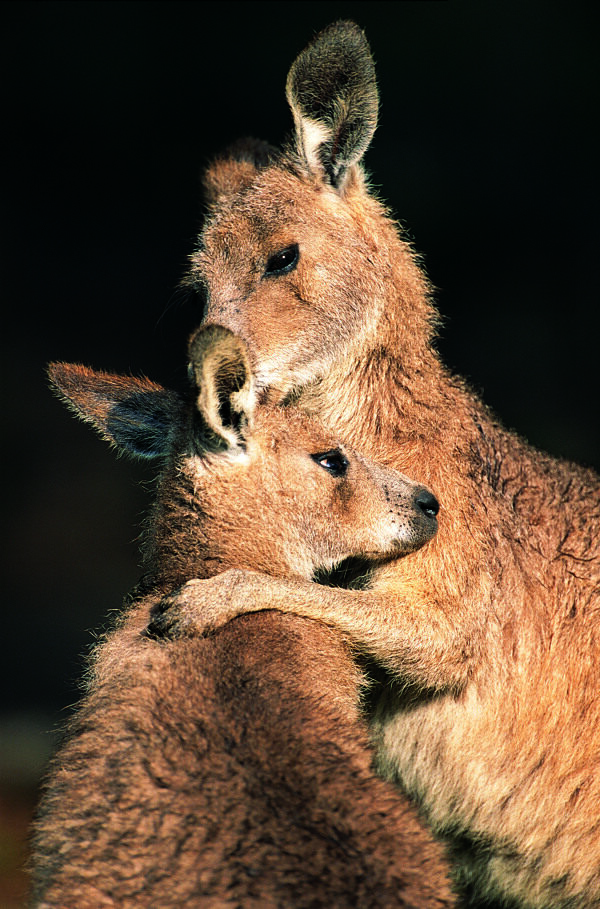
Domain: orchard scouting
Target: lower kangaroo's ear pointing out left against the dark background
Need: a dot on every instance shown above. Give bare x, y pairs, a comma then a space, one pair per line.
135, 415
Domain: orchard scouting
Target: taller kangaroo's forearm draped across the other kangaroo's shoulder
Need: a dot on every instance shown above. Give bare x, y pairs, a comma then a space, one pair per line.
412, 637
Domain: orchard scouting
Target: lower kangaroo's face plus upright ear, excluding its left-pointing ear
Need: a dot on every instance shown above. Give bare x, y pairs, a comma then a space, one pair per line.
283, 492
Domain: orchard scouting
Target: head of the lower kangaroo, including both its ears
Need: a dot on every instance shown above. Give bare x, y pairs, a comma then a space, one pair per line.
246, 484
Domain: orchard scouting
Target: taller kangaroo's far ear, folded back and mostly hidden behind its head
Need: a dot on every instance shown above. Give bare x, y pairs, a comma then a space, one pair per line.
236, 168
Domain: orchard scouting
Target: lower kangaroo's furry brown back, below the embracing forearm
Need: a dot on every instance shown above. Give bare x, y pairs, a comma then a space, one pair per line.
230, 771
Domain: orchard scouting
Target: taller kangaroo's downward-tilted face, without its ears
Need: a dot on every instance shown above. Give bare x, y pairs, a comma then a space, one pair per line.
286, 265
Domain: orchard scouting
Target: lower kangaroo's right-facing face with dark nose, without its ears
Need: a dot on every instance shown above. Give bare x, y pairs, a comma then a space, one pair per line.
290, 499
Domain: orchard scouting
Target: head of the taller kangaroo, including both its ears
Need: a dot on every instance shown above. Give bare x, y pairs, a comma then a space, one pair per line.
296, 257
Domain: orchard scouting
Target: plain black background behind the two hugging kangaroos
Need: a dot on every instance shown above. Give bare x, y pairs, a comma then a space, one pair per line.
486, 150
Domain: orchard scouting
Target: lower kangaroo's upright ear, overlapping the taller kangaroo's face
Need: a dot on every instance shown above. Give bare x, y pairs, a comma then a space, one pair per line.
221, 370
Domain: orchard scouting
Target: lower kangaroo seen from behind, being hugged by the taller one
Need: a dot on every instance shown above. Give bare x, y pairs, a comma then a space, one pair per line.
233, 770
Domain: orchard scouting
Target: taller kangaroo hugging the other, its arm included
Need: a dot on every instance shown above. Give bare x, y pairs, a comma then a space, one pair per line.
494, 628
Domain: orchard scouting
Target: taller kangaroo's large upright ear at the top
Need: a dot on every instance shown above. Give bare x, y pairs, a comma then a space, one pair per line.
332, 91
